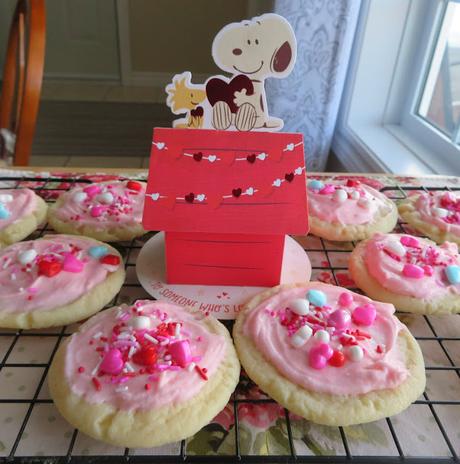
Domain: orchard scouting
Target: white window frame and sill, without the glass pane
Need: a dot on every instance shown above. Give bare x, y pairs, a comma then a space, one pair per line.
372, 133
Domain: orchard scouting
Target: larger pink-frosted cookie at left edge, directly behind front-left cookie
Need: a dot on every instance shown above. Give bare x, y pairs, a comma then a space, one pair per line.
56, 280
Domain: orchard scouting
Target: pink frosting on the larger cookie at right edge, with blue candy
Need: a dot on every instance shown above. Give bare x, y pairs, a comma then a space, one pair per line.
400, 274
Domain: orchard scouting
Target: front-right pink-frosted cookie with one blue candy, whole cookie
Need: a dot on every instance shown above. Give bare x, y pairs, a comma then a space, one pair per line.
328, 354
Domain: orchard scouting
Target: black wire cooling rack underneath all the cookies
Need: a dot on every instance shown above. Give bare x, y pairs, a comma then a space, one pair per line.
31, 429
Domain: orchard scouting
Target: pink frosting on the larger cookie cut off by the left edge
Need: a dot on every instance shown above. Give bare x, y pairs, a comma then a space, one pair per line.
24, 287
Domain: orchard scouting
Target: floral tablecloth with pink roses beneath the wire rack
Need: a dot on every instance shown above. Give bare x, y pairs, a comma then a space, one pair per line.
263, 426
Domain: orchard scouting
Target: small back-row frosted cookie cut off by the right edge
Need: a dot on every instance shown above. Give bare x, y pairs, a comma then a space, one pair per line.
435, 214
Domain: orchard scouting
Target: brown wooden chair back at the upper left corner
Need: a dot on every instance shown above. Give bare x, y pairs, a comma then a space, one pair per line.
22, 81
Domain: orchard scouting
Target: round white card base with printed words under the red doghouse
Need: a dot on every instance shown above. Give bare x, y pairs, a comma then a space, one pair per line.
223, 302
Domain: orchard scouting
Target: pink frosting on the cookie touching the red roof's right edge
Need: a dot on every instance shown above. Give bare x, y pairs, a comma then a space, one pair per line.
358, 208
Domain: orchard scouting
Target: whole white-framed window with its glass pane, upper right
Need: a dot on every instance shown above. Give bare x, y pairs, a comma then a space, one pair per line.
400, 110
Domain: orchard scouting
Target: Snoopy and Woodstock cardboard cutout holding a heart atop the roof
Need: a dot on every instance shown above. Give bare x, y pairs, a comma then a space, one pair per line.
250, 51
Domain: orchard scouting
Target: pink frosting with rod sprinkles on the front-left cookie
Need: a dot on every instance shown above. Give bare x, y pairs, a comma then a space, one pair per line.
168, 376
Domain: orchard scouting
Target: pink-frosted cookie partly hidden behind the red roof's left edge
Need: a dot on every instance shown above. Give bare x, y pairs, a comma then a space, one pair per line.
108, 211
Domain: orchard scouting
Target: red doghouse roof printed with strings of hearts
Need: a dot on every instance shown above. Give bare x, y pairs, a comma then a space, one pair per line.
226, 182
